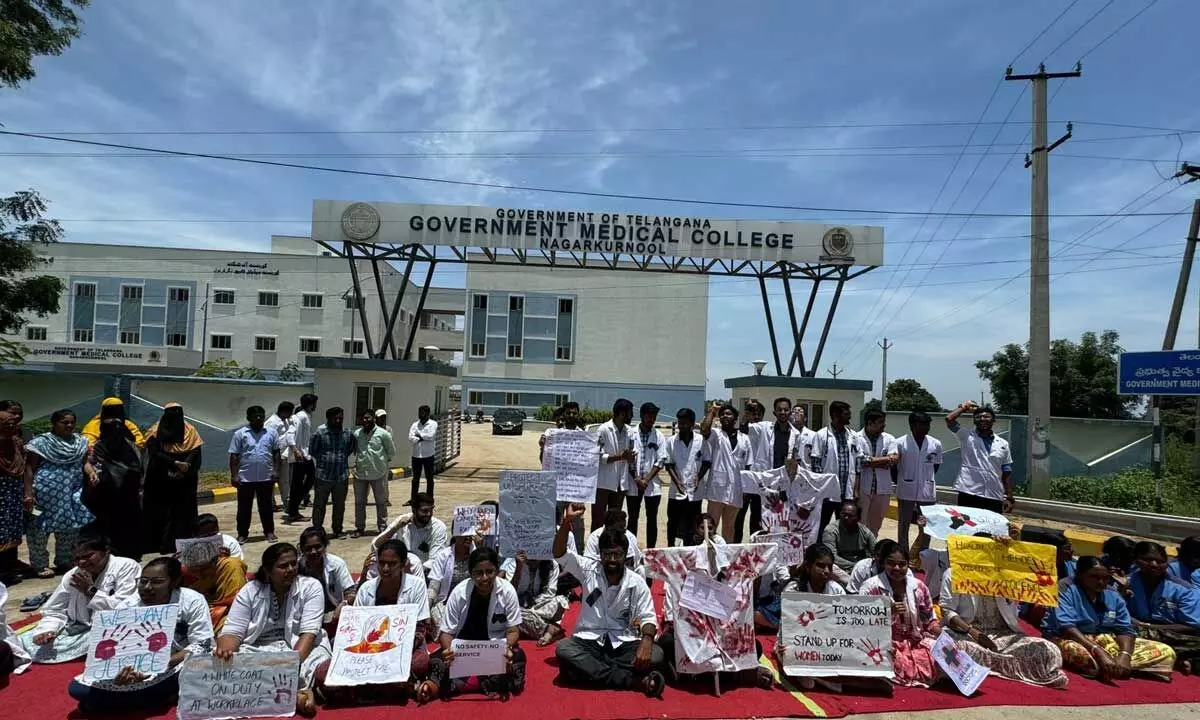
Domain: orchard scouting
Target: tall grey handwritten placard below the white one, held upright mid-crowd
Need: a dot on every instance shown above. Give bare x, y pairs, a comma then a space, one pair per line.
527, 513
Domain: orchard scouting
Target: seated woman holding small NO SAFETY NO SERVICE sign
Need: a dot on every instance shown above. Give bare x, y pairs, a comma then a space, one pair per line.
484, 608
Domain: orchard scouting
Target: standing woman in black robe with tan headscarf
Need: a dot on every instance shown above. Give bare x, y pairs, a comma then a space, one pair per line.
173, 472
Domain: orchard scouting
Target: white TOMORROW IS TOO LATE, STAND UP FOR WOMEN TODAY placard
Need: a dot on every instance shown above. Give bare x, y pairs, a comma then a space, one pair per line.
836, 635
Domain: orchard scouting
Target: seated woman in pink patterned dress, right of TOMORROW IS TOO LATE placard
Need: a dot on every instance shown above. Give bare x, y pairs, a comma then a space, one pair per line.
914, 625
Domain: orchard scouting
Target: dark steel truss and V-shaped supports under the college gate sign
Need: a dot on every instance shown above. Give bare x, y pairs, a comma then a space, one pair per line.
784, 272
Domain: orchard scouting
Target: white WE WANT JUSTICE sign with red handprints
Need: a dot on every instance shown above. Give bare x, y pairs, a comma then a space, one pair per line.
137, 638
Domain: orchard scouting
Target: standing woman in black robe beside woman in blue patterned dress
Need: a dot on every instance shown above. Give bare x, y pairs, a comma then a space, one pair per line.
116, 499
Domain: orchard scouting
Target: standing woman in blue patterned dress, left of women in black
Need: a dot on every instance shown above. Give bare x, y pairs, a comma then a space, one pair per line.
57, 471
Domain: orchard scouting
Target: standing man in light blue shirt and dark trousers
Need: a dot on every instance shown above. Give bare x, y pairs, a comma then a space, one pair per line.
254, 454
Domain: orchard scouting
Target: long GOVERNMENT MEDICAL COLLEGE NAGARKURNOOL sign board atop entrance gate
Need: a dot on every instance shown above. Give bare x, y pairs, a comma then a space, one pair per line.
593, 232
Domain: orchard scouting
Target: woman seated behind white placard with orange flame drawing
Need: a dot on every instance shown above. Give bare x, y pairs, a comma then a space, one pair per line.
397, 586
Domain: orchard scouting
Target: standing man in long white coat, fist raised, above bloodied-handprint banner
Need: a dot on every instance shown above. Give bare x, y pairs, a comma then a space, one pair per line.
730, 454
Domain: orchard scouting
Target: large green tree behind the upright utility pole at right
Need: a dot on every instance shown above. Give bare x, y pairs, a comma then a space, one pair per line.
1083, 379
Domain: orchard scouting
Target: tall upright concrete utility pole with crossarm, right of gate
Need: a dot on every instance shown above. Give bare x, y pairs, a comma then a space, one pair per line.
1039, 421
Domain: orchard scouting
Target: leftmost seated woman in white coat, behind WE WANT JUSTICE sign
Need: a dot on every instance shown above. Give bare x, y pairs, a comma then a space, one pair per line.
99, 581
